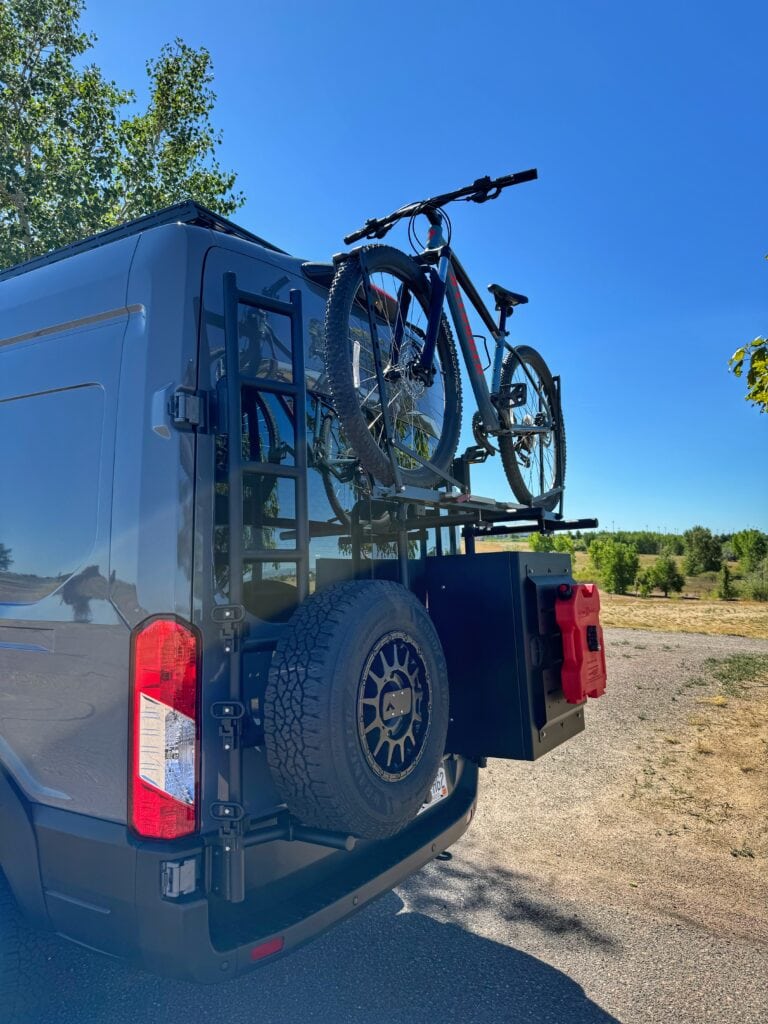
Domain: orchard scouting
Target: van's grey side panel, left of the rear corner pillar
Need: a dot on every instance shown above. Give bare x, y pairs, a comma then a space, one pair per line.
63, 693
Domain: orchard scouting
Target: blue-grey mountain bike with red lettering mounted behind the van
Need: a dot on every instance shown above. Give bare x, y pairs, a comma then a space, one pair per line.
394, 371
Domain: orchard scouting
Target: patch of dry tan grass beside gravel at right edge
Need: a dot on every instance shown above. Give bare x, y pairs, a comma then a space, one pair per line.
711, 780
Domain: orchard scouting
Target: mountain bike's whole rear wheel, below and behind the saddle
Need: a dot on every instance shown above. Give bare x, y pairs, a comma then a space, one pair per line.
533, 450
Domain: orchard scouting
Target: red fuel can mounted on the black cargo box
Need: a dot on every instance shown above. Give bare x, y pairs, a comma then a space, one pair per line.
578, 613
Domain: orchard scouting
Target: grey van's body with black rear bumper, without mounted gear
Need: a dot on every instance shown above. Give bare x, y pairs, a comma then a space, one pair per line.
112, 513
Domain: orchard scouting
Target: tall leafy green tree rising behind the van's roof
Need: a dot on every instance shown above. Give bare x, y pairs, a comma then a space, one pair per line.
73, 159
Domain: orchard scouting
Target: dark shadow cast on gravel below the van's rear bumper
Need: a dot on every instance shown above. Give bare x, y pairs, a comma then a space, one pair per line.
394, 963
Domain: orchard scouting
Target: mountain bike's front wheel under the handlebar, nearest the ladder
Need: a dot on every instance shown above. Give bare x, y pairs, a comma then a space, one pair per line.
425, 419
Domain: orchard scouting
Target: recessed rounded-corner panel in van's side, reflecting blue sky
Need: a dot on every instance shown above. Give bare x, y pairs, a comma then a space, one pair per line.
50, 477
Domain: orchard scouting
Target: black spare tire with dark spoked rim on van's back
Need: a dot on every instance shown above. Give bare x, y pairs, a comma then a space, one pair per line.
357, 709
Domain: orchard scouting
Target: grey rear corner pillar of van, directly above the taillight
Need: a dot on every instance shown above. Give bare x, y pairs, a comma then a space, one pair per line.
154, 487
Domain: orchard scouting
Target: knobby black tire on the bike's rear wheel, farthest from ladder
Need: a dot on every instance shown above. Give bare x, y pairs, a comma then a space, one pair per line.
510, 445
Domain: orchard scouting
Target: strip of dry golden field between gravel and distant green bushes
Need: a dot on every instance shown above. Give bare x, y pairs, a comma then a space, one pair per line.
743, 619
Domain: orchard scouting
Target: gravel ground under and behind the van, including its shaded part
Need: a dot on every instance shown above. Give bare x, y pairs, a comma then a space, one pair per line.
564, 904
